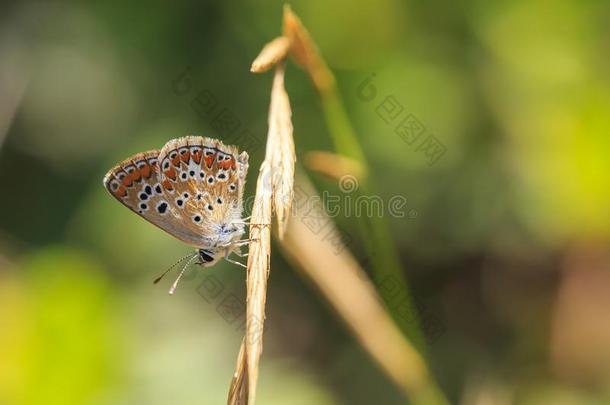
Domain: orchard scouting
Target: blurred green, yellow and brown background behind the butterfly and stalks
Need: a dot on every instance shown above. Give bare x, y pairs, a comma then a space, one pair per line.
508, 250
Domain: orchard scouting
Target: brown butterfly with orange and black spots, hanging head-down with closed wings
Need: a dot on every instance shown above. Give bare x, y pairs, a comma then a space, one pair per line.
192, 188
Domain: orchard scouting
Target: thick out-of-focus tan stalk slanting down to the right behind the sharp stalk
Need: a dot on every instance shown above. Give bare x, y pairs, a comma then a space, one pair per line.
346, 286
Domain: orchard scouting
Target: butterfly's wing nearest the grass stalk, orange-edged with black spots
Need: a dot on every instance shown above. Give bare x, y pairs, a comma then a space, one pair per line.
204, 181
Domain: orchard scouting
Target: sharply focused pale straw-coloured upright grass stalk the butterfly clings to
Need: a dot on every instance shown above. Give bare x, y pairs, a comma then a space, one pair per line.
274, 191
